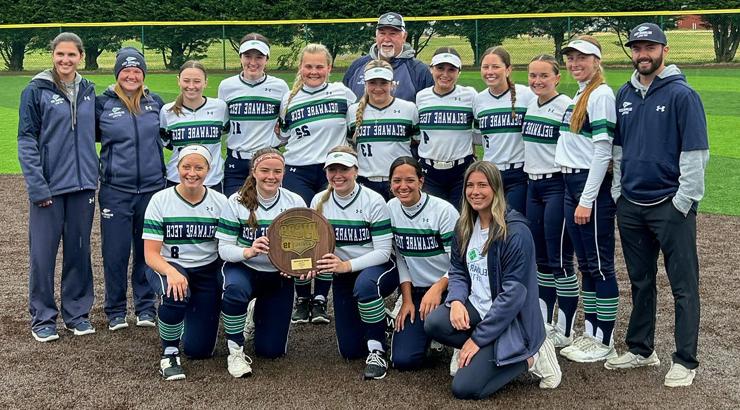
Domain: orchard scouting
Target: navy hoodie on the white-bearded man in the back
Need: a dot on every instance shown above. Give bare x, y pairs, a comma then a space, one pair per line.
409, 74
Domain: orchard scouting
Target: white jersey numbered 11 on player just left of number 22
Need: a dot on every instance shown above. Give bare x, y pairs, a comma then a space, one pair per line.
253, 111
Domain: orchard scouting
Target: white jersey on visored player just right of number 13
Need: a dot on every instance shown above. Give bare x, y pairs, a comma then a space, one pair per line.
446, 123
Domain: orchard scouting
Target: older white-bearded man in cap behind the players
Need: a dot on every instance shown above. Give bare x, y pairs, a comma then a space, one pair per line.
409, 74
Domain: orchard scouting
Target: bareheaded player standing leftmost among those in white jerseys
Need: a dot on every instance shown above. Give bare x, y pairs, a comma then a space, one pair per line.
194, 119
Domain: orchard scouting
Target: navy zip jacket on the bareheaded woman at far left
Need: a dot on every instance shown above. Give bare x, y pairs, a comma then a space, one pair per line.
56, 148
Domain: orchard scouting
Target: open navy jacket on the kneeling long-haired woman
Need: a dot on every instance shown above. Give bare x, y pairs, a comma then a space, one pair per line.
514, 323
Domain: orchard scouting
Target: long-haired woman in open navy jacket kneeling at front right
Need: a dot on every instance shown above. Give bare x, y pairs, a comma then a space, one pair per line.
492, 313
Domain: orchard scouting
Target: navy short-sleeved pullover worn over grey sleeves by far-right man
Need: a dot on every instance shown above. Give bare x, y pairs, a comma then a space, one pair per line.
653, 131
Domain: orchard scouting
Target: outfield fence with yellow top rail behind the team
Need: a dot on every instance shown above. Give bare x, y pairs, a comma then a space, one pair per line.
695, 37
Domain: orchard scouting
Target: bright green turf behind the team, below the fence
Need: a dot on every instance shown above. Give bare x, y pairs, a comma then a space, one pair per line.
718, 88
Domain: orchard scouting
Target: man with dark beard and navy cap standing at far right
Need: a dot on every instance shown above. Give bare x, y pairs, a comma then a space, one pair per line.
660, 153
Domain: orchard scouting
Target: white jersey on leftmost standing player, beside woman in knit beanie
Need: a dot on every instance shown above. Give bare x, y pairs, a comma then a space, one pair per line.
204, 126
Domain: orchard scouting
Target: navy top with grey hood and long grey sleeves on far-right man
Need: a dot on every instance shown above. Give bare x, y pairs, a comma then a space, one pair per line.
661, 146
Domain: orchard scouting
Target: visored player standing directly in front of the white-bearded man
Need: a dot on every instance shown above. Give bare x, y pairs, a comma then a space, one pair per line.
381, 126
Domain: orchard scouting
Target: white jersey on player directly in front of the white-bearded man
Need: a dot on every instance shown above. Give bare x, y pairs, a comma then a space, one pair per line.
385, 134
